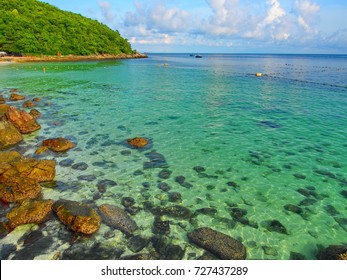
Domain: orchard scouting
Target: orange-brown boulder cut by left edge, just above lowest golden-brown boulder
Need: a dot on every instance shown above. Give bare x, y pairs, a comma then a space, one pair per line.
16, 189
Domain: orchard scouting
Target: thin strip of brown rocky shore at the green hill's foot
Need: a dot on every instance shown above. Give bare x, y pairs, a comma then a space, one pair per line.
69, 58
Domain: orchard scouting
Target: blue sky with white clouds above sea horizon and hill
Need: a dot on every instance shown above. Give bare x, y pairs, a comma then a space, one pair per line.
222, 26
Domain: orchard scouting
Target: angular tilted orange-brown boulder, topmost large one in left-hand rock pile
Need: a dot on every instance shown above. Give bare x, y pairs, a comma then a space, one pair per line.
24, 122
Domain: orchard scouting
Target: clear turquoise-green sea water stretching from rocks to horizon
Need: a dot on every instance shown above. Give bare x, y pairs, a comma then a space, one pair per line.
263, 142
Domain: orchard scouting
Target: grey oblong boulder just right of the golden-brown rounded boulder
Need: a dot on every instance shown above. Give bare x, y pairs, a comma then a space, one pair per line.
116, 217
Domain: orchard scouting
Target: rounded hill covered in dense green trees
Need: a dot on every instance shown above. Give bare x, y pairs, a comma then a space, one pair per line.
34, 28
